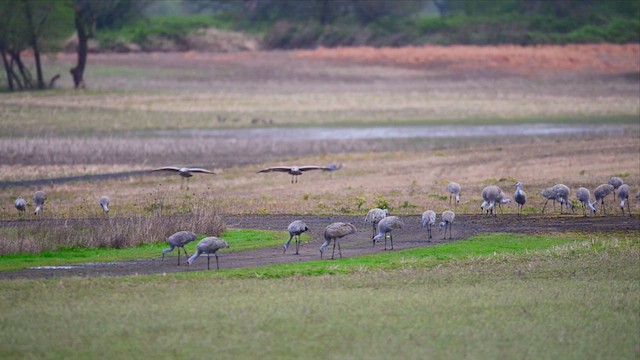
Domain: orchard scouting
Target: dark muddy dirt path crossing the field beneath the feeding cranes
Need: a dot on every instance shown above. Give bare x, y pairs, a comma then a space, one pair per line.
411, 236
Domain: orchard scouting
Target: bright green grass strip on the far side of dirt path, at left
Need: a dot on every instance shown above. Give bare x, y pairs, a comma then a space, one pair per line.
238, 240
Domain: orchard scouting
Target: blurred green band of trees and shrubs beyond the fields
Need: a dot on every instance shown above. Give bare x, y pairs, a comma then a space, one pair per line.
290, 24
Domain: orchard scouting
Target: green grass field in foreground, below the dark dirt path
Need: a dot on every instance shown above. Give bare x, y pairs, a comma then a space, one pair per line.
537, 297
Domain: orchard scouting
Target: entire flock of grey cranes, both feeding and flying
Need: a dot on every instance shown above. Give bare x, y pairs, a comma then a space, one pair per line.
382, 223
